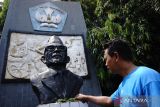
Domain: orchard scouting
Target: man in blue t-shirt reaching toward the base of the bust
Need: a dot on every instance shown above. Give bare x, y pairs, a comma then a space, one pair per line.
140, 86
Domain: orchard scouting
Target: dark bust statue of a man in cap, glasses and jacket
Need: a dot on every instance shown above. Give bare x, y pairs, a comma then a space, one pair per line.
56, 82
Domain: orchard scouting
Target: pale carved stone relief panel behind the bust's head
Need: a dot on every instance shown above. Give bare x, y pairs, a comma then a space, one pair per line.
25, 51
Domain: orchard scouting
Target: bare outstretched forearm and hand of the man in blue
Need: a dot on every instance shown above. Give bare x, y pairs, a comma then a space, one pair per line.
100, 100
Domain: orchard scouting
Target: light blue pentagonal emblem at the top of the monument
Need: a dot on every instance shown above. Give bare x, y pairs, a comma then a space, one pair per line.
47, 17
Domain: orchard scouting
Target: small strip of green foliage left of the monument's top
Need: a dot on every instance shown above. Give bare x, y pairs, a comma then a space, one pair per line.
3, 13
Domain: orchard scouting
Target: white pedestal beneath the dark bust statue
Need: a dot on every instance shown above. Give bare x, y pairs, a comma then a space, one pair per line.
67, 104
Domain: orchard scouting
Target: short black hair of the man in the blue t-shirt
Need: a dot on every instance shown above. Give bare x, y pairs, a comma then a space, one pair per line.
121, 47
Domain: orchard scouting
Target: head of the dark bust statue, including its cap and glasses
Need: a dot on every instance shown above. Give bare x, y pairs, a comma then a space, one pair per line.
55, 53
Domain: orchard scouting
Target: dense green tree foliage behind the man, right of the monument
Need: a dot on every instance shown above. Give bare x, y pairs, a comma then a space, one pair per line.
136, 21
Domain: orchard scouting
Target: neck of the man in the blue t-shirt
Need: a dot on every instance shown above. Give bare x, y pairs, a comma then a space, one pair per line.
127, 68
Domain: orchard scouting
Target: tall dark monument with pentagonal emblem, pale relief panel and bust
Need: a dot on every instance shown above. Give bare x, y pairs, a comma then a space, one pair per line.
43, 55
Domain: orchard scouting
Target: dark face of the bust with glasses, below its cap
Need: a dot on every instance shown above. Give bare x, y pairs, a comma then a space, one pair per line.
56, 54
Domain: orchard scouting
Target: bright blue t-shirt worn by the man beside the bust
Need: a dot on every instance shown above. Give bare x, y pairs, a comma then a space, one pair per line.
140, 88
